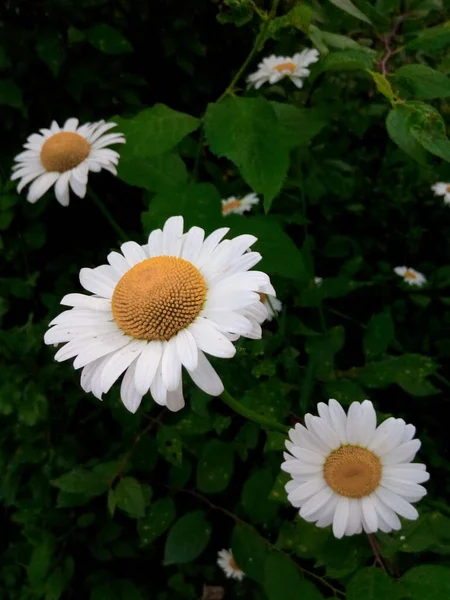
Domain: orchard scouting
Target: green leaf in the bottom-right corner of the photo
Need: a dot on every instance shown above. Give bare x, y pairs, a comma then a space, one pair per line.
430, 582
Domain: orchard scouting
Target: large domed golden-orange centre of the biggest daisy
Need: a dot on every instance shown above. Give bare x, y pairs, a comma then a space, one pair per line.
158, 297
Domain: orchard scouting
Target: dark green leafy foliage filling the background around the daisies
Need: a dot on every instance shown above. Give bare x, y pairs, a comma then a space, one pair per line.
93, 495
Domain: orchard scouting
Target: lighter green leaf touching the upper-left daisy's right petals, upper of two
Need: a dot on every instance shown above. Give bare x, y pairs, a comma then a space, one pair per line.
154, 131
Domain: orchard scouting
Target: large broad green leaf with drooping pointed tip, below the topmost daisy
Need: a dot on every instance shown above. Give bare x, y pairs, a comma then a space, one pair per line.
247, 131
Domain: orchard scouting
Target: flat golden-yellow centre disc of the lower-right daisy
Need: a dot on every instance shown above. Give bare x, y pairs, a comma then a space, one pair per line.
352, 471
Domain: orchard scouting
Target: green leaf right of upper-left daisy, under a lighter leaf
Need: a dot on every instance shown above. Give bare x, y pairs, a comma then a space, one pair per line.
155, 173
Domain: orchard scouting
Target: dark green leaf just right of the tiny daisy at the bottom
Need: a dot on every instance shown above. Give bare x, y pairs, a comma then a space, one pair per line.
249, 551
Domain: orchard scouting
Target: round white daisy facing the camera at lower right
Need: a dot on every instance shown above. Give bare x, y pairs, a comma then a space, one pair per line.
348, 472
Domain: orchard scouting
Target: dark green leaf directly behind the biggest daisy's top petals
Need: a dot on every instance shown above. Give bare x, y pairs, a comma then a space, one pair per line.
198, 203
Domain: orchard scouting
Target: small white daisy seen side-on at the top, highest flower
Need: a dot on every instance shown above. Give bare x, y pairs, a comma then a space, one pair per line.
273, 68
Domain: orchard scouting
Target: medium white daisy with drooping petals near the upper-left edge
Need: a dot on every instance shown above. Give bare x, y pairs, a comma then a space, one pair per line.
63, 156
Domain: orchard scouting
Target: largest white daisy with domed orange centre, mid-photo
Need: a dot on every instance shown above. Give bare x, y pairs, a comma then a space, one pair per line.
159, 307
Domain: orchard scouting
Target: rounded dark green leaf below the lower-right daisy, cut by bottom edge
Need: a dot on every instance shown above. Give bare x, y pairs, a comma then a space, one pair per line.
372, 583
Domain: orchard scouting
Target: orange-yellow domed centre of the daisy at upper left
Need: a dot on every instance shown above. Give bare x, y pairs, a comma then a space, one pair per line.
64, 151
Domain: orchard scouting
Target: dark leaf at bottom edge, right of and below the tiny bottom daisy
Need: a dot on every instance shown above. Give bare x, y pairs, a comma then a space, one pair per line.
283, 580
